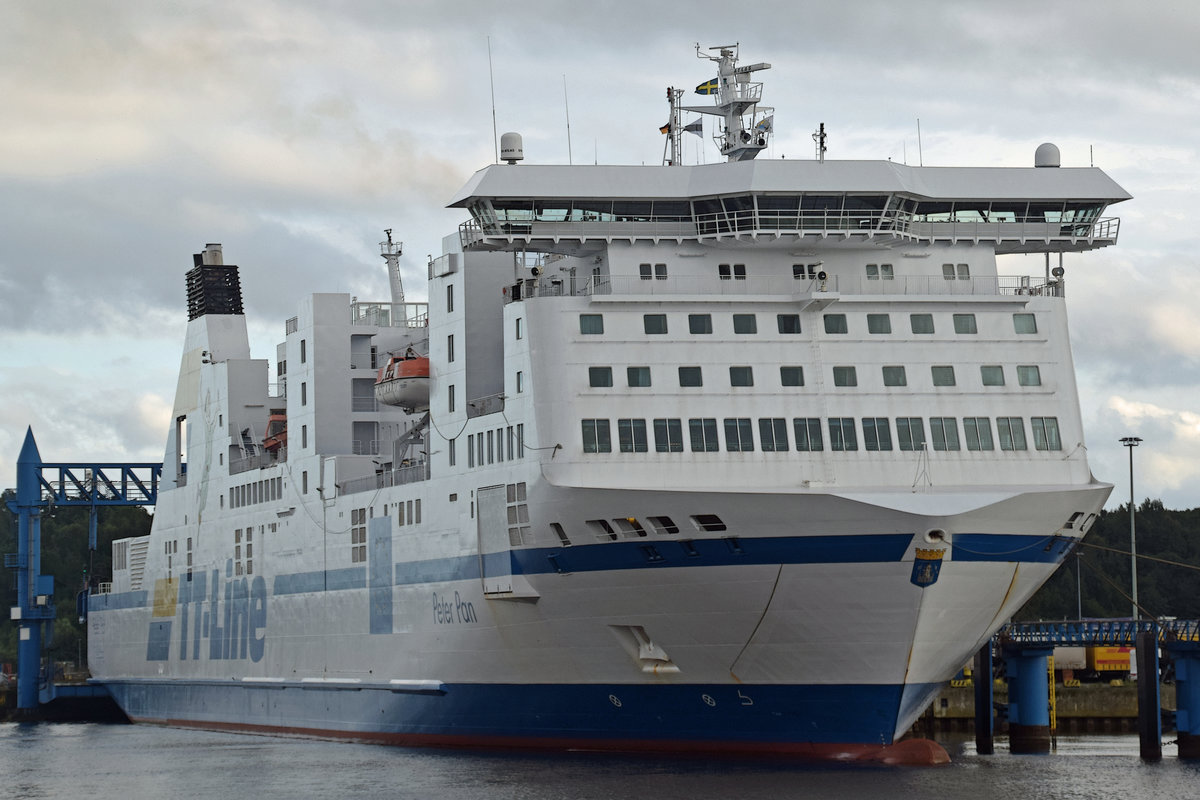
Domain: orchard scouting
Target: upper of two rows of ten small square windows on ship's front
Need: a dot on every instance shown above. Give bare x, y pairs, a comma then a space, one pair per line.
921, 323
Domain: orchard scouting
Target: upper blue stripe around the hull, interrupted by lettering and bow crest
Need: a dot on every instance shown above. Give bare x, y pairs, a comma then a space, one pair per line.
659, 554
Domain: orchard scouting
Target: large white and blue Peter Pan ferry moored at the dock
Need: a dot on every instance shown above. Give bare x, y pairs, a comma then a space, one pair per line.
739, 459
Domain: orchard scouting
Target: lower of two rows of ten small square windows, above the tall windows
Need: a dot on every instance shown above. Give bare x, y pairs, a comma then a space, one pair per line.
794, 376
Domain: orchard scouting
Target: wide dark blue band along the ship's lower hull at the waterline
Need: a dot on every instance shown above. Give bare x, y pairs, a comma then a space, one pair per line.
604, 713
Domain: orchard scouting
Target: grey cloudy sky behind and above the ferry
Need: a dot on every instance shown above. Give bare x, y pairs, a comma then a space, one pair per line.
133, 134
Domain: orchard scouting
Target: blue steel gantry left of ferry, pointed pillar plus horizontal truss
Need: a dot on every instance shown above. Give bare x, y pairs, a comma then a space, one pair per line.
40, 486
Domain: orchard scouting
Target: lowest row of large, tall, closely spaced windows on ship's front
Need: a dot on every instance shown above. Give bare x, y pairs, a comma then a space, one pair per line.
703, 435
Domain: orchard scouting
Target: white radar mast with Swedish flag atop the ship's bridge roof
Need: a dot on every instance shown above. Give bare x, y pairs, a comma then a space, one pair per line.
747, 128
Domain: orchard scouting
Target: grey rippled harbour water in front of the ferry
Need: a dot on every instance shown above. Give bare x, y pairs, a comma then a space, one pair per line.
98, 762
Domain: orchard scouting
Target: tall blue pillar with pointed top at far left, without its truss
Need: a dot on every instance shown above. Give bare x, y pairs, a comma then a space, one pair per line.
35, 592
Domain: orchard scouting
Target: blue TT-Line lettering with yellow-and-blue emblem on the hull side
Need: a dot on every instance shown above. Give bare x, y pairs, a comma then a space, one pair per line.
230, 627
